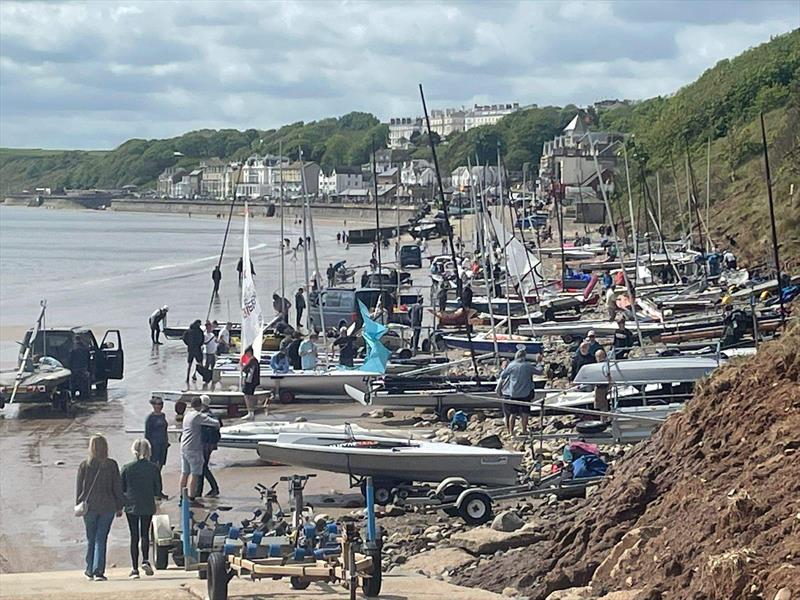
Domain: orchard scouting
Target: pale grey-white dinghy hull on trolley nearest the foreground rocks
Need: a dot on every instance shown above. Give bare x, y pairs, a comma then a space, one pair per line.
393, 459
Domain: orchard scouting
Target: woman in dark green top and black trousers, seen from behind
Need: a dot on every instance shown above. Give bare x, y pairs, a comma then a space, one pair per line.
141, 485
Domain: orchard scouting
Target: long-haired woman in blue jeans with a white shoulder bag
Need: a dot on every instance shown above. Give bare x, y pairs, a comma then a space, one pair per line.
100, 487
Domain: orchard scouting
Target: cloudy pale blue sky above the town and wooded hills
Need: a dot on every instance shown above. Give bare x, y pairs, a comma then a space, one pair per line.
90, 75
